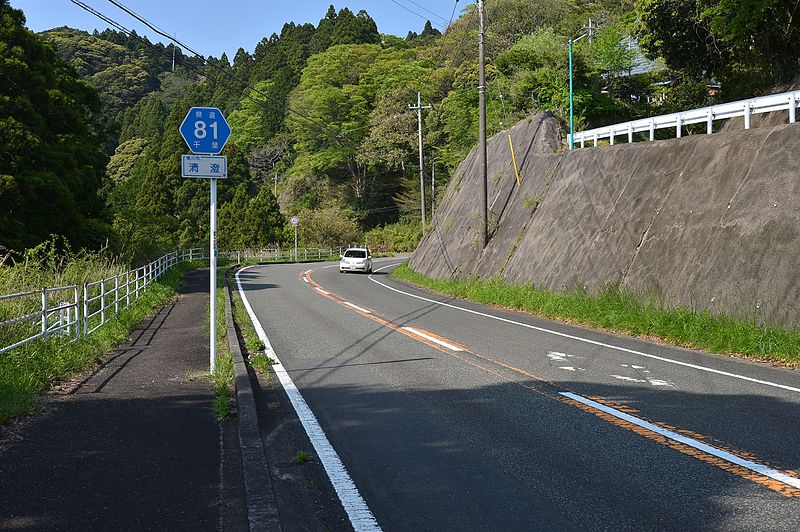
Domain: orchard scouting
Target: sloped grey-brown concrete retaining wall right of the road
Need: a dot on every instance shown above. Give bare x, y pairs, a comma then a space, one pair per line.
705, 221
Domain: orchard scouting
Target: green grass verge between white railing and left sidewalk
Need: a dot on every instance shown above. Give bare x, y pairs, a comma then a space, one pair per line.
29, 369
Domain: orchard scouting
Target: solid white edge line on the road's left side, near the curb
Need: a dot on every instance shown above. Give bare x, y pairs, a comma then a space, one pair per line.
360, 515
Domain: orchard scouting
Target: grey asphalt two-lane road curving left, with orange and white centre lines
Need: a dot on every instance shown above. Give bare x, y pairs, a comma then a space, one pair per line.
454, 416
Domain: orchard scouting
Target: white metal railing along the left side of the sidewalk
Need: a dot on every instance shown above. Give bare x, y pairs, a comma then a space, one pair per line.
75, 311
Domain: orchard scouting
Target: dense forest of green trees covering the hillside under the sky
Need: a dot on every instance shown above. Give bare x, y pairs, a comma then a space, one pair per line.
319, 112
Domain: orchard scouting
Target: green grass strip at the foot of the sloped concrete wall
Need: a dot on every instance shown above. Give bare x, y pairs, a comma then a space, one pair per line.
622, 311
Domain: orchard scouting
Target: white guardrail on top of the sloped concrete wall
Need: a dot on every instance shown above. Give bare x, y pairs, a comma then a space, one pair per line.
787, 101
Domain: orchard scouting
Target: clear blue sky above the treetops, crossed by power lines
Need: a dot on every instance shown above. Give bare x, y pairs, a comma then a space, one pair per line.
213, 26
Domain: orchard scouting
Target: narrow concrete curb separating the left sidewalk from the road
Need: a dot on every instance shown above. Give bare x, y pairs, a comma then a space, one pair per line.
262, 508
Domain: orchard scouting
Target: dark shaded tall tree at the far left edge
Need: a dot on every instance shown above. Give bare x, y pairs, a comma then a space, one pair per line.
51, 162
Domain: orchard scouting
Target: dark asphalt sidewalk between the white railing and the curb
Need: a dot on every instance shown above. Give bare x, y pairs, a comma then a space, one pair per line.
135, 445
